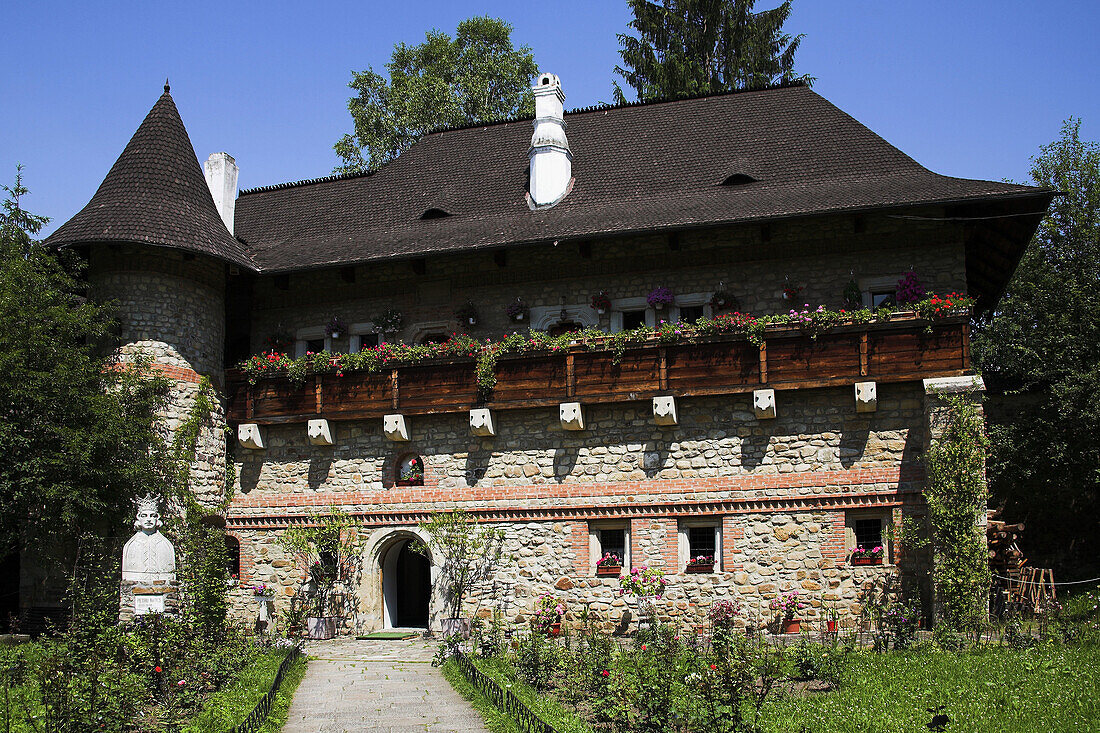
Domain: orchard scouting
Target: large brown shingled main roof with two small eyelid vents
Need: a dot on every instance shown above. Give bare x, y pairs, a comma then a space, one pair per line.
644, 168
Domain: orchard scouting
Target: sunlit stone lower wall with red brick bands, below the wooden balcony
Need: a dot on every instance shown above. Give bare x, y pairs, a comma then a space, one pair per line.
779, 490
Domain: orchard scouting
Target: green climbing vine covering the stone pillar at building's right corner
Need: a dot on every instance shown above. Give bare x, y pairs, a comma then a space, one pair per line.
956, 495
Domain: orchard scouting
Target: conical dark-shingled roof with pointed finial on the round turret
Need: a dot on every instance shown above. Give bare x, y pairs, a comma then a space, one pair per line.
156, 194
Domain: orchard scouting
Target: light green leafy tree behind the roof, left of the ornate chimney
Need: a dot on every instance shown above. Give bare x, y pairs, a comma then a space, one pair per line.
477, 76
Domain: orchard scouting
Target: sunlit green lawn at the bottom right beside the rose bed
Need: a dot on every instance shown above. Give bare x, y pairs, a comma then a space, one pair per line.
1041, 691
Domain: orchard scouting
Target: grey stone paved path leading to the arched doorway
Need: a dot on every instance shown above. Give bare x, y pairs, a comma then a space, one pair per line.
387, 686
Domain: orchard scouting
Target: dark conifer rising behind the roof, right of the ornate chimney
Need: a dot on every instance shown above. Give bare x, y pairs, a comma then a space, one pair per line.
688, 48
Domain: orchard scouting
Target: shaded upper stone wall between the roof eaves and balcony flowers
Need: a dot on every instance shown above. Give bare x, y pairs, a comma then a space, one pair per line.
820, 255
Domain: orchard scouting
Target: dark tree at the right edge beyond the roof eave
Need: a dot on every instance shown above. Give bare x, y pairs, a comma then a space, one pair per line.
1040, 354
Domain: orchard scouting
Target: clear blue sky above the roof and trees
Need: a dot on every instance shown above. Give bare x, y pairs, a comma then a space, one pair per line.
970, 90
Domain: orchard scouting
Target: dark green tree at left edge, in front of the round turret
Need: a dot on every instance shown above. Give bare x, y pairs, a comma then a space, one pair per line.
78, 439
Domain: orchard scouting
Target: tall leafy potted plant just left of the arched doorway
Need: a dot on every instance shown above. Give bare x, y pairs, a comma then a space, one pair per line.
329, 546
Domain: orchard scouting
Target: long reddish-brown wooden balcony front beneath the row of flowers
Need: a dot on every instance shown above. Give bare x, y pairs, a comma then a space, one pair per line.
901, 351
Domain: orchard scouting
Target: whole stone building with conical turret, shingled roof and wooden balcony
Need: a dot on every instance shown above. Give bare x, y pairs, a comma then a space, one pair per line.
777, 455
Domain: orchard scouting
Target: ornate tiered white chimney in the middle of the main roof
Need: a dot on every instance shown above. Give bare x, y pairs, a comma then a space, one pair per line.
552, 161
